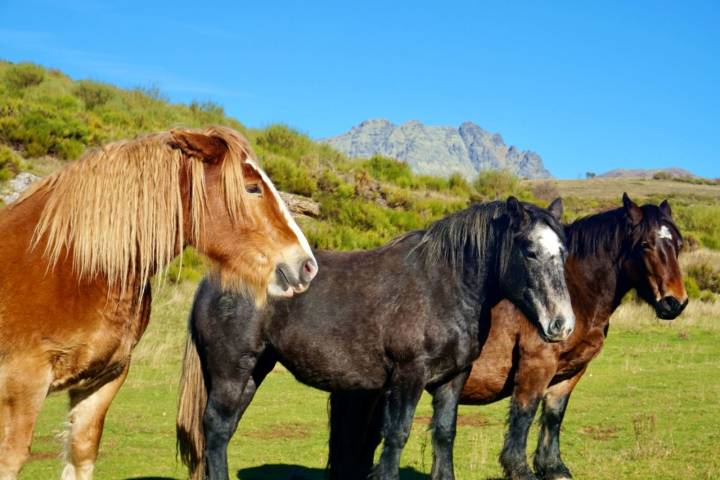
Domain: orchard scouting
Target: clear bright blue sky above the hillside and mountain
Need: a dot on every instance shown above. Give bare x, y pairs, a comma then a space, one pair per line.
589, 85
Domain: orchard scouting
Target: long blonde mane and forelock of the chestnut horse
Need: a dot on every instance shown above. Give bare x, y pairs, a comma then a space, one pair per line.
119, 209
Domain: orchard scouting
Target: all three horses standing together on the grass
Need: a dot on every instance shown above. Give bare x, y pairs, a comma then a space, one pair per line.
496, 300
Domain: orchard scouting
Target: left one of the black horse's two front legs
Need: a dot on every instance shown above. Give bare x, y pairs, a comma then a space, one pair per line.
402, 398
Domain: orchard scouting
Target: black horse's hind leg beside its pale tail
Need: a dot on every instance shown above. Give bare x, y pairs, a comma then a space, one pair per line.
232, 391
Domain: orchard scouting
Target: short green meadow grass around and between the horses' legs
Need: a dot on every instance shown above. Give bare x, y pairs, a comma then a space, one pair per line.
646, 408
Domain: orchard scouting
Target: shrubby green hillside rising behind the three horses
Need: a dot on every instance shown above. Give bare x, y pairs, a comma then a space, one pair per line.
47, 119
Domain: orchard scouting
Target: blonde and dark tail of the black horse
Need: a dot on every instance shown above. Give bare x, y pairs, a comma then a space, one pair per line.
191, 407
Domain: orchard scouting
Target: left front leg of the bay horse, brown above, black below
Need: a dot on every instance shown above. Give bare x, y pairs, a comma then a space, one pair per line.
533, 376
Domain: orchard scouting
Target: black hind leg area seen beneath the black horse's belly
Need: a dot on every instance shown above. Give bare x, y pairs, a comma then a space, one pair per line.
355, 433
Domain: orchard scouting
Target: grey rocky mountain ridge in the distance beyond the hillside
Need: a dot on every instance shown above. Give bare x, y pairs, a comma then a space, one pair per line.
439, 150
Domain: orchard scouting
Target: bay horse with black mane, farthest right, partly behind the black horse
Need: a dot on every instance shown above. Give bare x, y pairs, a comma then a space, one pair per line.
610, 253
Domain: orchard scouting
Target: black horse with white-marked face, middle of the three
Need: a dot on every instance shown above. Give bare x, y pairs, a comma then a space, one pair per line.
387, 322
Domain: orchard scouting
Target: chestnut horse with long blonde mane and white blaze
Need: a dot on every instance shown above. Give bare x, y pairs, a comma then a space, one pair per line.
77, 252
